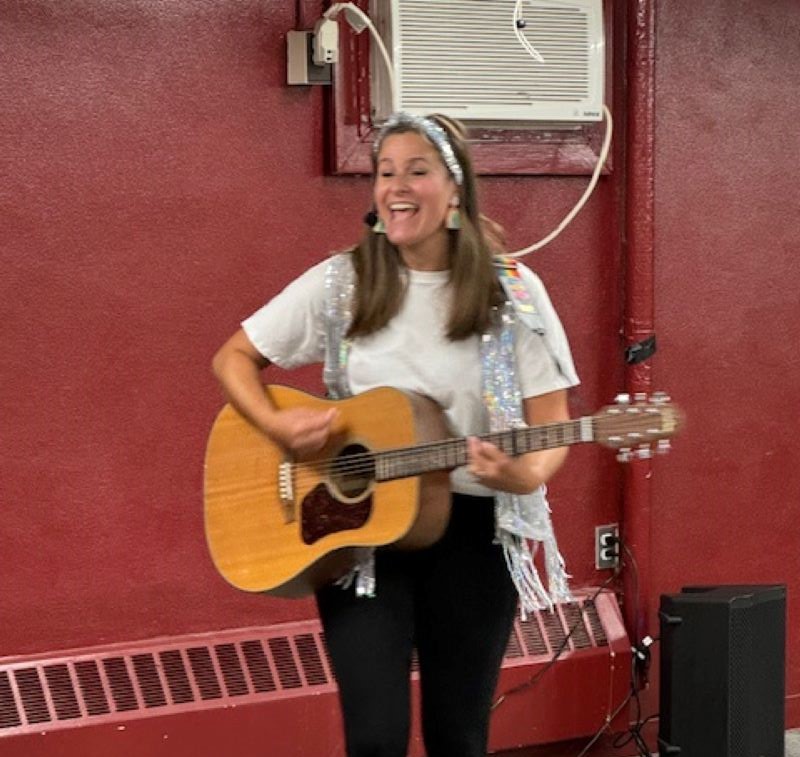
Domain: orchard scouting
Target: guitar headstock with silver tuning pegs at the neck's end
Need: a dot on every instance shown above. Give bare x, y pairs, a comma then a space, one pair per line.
638, 427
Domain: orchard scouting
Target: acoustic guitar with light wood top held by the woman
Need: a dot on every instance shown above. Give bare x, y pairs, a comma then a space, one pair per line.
285, 526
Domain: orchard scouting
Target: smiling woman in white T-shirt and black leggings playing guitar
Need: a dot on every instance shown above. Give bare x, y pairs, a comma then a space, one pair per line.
425, 298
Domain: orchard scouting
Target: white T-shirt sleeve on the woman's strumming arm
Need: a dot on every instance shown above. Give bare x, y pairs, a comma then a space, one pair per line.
289, 329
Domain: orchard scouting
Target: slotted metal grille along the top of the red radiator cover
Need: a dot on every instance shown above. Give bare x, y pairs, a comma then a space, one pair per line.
290, 660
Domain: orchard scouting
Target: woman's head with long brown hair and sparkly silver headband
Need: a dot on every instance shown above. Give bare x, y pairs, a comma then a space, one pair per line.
444, 229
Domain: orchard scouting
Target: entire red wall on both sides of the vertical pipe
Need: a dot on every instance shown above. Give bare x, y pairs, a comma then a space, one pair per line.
160, 181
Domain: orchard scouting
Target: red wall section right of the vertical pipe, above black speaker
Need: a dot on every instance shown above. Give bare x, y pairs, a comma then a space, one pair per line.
727, 505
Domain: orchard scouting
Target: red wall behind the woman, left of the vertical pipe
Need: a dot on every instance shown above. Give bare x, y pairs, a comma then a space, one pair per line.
162, 181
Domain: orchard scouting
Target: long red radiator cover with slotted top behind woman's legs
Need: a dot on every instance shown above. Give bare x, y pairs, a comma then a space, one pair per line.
271, 690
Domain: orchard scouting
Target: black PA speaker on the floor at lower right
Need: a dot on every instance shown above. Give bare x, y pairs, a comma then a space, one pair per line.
722, 686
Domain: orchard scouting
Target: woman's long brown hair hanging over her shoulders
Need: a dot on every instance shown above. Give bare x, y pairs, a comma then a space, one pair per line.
380, 284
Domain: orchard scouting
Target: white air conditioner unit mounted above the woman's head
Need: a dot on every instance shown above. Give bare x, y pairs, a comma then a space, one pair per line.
462, 58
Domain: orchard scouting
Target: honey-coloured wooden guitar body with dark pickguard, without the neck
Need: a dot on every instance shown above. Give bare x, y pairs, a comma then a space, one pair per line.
262, 540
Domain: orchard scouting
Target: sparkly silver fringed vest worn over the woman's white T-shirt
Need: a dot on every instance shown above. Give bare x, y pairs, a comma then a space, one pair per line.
522, 522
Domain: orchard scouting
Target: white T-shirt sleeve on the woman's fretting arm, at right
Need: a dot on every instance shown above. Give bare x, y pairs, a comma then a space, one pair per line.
544, 361
